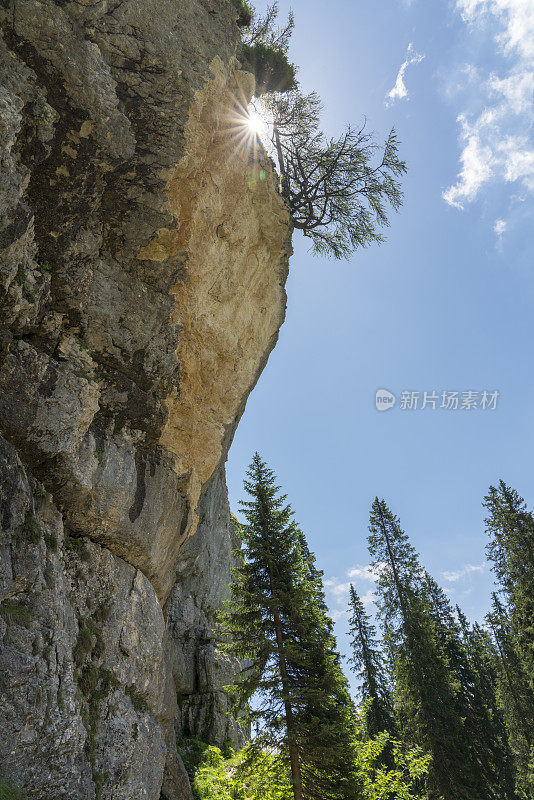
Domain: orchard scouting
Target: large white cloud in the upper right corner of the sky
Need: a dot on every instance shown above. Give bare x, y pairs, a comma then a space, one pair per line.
497, 141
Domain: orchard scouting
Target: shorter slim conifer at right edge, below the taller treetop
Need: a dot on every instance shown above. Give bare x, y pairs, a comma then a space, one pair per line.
514, 695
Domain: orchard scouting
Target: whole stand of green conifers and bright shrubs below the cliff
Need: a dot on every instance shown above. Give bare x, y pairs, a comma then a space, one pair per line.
446, 709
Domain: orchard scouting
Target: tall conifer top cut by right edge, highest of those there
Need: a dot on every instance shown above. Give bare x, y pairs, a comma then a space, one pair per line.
511, 549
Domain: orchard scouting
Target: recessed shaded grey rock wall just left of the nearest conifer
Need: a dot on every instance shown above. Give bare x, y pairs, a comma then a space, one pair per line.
200, 671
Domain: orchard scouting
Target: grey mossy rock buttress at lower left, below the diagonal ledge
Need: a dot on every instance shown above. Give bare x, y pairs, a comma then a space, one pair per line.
82, 678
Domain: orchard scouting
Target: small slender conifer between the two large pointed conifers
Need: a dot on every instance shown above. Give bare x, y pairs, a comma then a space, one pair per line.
368, 663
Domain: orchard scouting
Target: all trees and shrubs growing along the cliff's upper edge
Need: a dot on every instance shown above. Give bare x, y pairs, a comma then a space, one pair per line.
338, 190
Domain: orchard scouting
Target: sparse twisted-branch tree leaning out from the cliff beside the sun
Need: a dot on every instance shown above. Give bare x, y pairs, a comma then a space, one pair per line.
338, 190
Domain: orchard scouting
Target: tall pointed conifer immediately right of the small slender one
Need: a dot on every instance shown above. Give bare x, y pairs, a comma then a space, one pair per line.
425, 689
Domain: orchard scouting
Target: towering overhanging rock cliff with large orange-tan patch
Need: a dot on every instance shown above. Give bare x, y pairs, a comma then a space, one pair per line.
143, 255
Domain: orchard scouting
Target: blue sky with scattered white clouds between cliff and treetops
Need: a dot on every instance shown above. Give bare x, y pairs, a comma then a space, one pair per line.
444, 305
